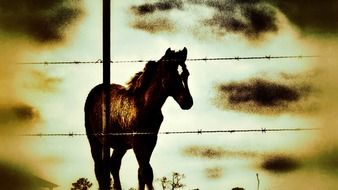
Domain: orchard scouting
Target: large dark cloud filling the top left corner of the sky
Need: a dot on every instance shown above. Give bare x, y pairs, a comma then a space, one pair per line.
39, 20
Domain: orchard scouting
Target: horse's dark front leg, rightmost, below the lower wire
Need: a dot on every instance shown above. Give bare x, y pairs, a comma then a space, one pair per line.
143, 148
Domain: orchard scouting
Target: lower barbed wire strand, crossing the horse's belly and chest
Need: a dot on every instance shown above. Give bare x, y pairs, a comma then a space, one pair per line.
199, 132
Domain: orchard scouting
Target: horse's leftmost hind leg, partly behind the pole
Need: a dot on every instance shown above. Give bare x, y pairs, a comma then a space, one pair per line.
101, 171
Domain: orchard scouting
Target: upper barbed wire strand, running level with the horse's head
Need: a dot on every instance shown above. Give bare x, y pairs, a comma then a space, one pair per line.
99, 61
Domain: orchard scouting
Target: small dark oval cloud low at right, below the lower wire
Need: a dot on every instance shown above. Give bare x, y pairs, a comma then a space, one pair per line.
280, 164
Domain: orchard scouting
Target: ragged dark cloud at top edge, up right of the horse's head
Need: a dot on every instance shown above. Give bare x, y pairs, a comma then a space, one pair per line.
249, 18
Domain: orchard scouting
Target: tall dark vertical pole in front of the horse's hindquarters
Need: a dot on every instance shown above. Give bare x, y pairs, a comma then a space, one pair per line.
106, 86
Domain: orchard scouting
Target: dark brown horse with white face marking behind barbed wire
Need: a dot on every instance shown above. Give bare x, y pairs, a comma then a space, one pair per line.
135, 116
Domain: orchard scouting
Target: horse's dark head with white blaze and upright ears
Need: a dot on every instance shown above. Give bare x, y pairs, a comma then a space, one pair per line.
175, 77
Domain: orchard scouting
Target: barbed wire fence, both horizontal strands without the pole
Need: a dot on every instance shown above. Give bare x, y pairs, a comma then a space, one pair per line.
199, 131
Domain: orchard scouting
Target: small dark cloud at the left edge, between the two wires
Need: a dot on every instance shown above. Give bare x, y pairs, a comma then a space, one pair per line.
17, 113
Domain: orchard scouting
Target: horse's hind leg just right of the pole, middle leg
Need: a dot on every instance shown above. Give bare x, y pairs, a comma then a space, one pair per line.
115, 164
